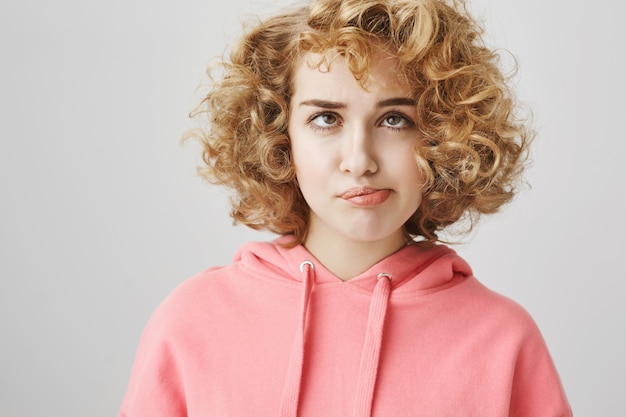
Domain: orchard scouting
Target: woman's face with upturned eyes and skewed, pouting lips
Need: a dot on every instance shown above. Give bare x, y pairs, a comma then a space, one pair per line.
353, 151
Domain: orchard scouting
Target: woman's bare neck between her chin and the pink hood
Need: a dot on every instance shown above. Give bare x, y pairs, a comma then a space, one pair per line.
347, 258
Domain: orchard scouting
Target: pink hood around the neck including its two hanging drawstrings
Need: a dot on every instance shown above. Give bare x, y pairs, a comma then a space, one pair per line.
411, 270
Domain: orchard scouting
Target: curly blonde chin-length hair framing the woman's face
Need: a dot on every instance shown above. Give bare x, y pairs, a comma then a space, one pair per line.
474, 145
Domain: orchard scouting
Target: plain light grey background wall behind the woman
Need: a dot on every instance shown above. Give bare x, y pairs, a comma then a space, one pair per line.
102, 215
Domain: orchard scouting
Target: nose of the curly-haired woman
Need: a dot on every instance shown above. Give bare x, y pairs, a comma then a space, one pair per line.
358, 156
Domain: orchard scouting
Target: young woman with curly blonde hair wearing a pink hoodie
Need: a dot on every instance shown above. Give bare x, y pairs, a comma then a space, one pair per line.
356, 130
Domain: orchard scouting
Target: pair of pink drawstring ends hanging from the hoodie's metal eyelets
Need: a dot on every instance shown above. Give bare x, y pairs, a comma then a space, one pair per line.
370, 353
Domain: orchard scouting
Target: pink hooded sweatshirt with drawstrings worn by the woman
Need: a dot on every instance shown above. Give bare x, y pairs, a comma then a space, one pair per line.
276, 334
